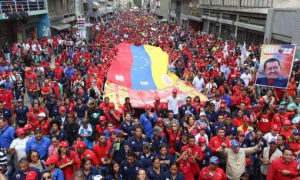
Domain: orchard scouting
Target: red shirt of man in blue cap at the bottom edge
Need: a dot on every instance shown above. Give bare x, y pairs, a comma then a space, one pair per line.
205, 174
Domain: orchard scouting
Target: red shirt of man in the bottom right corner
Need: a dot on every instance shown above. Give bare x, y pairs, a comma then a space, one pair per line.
278, 165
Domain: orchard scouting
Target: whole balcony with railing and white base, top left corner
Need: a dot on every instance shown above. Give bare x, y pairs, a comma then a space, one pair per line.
32, 8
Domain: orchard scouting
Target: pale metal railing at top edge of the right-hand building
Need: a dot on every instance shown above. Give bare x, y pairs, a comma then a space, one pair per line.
239, 3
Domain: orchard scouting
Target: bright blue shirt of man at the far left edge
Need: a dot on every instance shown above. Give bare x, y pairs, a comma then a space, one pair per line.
7, 135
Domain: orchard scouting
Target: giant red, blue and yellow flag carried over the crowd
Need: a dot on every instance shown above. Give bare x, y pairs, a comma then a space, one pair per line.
141, 73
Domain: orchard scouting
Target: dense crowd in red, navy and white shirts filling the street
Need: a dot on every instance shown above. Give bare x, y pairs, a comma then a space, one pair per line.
71, 130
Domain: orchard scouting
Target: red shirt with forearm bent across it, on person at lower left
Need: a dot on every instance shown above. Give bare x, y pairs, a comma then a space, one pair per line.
69, 171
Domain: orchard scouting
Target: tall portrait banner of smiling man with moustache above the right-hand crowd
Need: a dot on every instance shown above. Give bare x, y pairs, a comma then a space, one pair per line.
275, 65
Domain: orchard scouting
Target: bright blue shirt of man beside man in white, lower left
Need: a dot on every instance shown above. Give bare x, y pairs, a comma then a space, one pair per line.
41, 147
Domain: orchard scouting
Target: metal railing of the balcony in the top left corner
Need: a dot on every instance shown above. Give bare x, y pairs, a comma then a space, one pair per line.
22, 5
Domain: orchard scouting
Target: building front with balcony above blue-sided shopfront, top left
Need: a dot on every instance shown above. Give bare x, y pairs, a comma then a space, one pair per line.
23, 19
